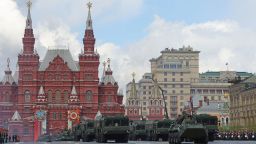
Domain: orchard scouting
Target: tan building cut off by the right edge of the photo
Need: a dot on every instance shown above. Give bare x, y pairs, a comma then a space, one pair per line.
243, 104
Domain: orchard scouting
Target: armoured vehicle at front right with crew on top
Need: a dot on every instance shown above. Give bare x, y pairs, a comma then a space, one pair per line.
186, 129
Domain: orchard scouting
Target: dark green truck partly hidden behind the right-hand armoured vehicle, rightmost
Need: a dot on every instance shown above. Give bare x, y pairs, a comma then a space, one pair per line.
210, 122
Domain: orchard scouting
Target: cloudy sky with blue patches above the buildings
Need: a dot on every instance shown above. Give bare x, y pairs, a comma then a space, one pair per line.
131, 32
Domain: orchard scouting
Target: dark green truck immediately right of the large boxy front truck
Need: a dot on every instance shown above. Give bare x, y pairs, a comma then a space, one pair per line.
138, 130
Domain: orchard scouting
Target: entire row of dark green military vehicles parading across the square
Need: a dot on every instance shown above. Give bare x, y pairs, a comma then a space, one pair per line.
189, 128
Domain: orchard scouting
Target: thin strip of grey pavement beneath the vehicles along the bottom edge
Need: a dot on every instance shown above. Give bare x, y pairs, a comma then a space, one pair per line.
142, 142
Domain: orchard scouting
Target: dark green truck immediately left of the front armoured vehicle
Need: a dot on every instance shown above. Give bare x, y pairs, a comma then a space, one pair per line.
161, 130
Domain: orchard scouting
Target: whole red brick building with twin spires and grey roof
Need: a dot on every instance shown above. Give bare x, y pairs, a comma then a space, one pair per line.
57, 90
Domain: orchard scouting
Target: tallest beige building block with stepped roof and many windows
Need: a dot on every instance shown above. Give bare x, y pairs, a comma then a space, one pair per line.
175, 70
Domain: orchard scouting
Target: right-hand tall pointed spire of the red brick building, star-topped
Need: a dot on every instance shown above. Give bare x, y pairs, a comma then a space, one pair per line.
89, 40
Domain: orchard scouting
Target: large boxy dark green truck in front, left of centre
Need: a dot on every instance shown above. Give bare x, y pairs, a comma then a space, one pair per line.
112, 128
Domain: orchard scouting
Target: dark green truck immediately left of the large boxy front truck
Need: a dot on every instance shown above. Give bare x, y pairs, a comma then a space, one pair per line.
88, 133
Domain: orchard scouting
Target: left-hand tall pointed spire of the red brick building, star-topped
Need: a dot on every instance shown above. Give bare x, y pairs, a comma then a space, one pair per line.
28, 39
